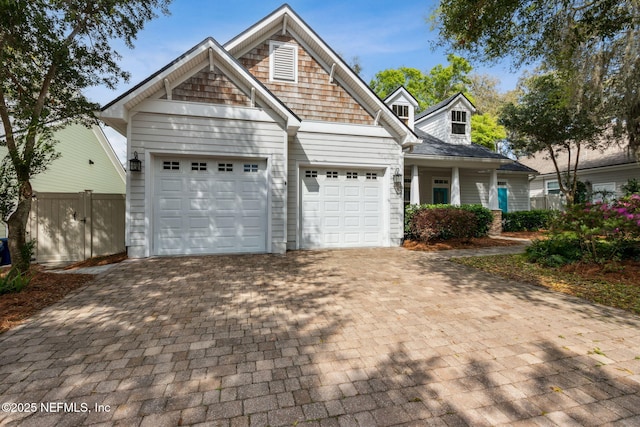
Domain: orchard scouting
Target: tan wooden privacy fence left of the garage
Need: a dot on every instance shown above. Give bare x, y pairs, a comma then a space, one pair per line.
76, 226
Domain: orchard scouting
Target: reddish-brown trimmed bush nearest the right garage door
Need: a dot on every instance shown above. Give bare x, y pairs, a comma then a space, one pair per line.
443, 223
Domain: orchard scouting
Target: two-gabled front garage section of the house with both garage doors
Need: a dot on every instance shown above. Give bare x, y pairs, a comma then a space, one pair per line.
266, 144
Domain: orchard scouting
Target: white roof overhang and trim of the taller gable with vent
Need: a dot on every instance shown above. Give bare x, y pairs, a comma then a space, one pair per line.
284, 21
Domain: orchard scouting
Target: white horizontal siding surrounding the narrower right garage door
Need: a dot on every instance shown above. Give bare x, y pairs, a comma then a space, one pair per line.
347, 150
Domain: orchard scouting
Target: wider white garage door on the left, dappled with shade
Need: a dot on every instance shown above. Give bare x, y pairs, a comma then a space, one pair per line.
209, 206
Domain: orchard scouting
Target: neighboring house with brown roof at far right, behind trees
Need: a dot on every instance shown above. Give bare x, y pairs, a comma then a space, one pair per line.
604, 172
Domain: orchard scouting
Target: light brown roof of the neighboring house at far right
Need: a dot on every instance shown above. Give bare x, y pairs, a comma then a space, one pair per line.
613, 155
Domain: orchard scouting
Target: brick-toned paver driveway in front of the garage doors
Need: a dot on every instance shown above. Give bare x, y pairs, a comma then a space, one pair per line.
333, 338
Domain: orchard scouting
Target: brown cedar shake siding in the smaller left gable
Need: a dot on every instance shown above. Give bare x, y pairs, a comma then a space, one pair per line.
211, 88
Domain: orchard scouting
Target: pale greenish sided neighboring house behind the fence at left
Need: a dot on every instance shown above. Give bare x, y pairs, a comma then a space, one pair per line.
87, 162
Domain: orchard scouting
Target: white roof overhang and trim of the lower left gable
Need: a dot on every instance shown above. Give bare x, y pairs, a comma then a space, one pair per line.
205, 55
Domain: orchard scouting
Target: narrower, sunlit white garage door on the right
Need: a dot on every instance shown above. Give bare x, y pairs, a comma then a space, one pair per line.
341, 208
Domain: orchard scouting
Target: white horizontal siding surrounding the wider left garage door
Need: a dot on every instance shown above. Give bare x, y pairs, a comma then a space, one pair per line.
202, 136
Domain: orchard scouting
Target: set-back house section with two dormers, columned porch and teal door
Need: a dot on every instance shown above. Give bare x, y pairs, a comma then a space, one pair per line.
448, 168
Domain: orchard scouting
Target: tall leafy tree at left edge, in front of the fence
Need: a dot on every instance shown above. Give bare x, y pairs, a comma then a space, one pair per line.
50, 51
